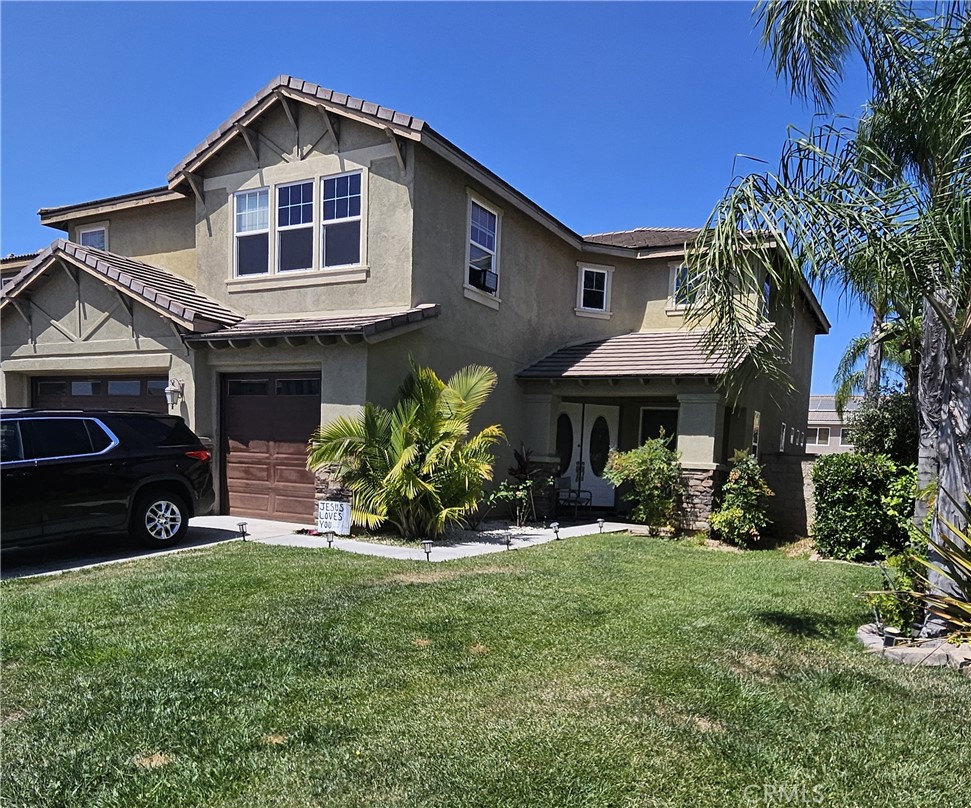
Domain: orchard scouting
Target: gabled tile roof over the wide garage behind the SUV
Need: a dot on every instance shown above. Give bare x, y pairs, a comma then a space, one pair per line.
157, 288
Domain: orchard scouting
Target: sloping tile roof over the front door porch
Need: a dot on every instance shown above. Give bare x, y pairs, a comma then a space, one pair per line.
640, 354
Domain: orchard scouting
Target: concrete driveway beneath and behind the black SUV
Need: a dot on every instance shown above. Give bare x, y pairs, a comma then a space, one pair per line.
88, 551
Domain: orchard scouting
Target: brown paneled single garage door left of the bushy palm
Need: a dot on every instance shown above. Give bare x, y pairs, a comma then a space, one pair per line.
267, 420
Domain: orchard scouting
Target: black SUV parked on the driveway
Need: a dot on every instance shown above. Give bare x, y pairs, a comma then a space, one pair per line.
75, 472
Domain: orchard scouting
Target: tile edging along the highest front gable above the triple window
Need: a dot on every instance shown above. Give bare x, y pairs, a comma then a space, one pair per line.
382, 116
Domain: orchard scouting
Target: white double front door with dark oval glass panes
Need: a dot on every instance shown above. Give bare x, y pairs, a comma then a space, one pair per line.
593, 429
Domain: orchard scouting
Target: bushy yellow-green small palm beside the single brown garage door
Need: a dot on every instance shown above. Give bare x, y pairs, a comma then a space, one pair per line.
417, 466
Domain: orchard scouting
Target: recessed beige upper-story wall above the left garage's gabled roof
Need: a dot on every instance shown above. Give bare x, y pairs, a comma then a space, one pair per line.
162, 234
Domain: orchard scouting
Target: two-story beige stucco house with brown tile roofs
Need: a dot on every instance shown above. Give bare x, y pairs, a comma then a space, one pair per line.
298, 256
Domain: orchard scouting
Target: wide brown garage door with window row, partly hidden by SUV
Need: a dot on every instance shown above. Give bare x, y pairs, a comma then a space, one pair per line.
100, 393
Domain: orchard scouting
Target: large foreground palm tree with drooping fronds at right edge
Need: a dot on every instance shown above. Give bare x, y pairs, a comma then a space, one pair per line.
891, 196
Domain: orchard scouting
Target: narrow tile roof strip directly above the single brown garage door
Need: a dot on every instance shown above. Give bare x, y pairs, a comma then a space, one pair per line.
363, 323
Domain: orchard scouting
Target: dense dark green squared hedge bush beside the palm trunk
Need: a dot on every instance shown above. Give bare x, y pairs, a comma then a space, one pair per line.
859, 504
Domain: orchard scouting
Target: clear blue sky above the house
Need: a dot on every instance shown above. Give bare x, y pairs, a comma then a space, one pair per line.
609, 115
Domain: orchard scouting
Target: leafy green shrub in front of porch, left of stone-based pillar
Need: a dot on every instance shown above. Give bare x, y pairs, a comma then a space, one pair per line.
654, 473
